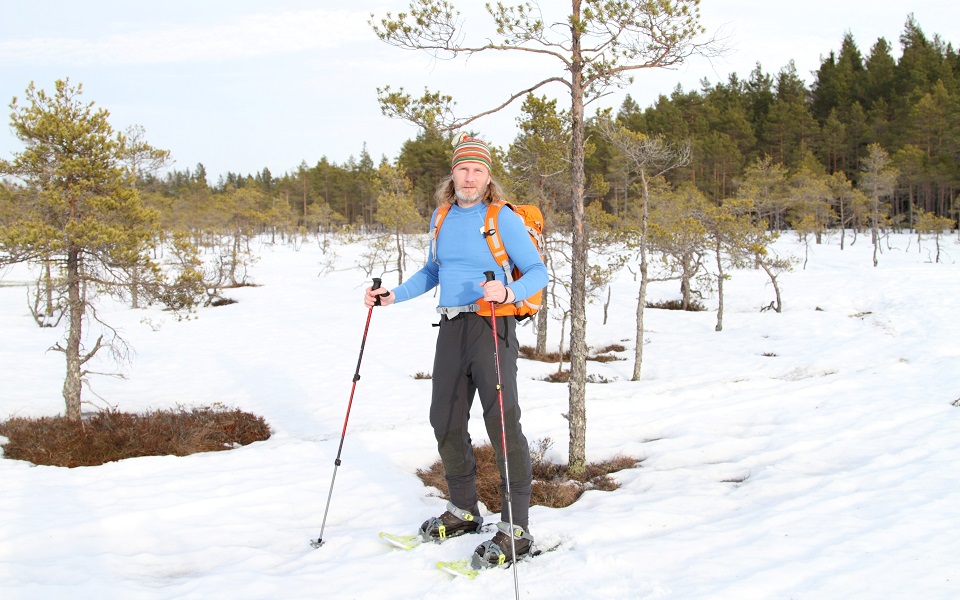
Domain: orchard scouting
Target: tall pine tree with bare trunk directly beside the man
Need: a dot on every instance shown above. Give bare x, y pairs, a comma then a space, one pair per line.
599, 45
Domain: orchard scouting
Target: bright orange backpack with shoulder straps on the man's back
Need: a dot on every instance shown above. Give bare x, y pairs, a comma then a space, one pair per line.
533, 220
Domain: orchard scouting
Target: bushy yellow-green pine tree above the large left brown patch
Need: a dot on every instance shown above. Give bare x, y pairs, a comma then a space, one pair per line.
81, 212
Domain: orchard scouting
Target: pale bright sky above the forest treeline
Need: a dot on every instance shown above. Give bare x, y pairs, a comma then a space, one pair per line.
240, 85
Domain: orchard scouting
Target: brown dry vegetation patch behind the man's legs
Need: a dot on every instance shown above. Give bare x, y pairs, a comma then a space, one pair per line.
552, 486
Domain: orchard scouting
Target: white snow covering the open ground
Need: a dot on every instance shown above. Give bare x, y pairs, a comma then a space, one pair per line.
808, 454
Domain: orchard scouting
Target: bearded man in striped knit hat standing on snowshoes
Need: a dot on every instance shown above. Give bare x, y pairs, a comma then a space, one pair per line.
465, 361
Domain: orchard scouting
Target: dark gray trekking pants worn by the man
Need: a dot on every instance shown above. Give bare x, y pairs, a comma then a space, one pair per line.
464, 365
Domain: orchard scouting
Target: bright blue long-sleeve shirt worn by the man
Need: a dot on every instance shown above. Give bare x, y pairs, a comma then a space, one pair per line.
462, 256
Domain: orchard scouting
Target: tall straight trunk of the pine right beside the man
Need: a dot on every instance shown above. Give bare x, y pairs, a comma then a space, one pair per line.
578, 319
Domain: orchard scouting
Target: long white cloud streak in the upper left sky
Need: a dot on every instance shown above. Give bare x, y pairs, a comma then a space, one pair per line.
249, 36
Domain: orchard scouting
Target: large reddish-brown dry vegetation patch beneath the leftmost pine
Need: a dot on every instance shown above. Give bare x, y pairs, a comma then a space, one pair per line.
110, 435
